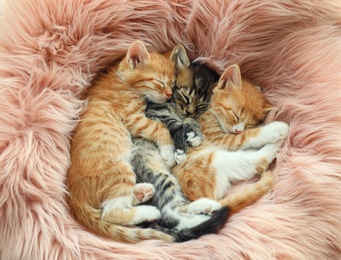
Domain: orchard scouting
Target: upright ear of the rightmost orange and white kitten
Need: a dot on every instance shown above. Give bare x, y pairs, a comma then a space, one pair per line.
231, 78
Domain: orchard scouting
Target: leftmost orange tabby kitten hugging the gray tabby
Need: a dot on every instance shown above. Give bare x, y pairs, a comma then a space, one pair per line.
104, 196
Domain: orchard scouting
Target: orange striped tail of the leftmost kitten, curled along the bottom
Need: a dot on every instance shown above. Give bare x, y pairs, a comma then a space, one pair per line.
97, 225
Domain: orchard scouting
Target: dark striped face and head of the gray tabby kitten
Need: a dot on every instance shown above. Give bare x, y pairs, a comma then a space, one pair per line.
192, 95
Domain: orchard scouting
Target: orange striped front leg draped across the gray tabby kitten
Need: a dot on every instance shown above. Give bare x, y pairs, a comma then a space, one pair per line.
141, 126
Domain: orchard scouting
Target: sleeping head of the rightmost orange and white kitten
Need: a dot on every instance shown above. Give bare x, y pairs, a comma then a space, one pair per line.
236, 103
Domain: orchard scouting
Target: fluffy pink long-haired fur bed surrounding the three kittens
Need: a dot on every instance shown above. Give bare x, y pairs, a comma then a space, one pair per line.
50, 51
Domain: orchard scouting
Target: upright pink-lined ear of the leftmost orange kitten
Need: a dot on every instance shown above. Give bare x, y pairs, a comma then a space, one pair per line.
137, 54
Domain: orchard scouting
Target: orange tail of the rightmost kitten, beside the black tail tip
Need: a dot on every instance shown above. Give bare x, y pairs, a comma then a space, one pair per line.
250, 194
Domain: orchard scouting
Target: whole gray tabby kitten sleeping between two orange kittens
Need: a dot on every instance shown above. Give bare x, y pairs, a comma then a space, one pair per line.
191, 219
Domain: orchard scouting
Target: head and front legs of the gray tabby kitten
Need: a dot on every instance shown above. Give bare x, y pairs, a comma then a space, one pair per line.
188, 102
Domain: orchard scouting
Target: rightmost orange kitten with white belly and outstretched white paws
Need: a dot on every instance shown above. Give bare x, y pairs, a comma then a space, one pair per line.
233, 147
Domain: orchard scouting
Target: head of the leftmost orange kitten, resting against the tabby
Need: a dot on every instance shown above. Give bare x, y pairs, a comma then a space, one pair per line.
149, 73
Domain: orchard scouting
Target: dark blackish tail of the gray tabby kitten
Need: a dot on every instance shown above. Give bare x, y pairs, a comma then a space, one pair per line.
211, 225
